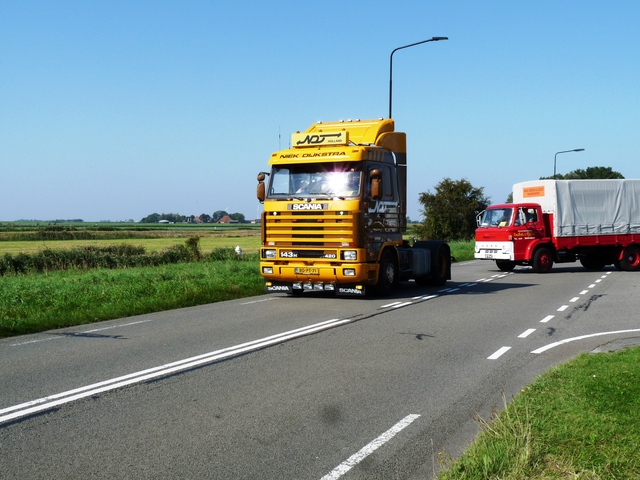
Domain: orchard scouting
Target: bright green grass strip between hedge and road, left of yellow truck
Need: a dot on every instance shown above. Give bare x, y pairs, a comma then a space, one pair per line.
34, 303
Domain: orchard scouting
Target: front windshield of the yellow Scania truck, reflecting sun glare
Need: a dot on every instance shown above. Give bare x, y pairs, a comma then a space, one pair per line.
318, 181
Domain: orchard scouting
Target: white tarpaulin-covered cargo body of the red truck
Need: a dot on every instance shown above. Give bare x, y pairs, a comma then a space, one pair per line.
585, 207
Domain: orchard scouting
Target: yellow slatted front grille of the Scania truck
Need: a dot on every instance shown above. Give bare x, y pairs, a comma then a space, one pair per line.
310, 229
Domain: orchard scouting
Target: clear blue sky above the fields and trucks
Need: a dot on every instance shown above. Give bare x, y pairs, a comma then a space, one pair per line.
113, 110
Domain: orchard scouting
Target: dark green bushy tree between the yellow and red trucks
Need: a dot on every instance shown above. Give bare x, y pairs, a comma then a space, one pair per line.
450, 212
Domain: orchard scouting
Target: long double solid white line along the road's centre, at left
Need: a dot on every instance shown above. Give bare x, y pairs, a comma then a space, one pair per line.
45, 403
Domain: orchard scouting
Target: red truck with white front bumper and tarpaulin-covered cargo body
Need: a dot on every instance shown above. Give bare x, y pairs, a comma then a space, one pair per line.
594, 221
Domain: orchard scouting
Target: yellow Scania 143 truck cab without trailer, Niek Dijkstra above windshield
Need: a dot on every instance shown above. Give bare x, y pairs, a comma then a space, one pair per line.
335, 210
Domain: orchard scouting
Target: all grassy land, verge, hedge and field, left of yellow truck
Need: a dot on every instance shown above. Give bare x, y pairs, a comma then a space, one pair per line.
100, 274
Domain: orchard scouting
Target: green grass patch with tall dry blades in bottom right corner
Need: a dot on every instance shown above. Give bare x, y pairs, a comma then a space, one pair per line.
579, 420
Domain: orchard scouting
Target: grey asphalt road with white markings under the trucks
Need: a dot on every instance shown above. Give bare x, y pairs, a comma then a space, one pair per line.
311, 387
